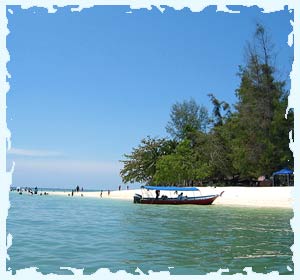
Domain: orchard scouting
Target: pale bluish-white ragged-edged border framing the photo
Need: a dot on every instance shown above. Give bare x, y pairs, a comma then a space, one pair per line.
195, 6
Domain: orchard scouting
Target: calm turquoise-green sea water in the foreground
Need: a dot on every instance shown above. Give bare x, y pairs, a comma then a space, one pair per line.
50, 232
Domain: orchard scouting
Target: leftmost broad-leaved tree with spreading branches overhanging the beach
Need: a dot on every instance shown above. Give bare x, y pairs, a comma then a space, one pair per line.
140, 165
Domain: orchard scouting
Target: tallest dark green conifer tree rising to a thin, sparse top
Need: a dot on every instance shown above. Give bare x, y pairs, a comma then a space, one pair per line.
260, 135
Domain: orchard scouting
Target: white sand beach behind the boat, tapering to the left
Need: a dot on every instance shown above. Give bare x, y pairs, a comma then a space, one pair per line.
280, 197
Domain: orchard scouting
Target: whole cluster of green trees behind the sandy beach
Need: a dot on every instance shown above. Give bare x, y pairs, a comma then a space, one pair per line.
235, 143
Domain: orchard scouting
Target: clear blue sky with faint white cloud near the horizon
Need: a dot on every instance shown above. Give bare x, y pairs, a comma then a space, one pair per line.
87, 86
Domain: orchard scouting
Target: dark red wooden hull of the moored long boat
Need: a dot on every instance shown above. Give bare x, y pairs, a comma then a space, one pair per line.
200, 200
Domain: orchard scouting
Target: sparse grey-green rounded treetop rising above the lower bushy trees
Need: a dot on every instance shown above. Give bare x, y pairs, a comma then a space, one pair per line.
187, 117
